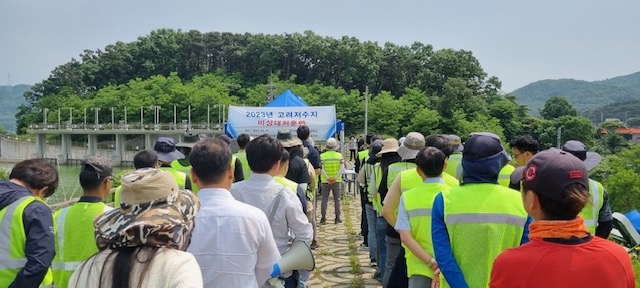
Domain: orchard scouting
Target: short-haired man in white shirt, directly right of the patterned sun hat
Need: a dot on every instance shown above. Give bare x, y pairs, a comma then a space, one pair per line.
232, 241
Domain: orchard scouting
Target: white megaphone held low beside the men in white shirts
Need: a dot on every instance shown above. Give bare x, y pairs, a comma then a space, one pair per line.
299, 257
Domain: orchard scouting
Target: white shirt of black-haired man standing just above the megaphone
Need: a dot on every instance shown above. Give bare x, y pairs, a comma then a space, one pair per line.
289, 221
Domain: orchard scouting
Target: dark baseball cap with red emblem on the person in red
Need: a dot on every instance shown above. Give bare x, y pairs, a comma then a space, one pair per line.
549, 172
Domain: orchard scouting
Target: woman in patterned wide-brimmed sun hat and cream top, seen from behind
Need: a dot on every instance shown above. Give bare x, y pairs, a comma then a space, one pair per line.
143, 243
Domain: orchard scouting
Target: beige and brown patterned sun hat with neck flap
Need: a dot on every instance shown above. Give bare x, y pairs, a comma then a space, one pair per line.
153, 212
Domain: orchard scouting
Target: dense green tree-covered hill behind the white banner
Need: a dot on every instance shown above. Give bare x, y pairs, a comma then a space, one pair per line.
411, 88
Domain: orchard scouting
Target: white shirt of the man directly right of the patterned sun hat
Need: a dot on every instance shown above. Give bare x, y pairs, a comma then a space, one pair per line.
231, 241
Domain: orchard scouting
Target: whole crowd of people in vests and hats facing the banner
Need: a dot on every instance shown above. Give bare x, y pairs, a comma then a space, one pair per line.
436, 212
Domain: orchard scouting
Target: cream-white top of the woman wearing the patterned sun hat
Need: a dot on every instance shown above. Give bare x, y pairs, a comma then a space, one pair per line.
169, 268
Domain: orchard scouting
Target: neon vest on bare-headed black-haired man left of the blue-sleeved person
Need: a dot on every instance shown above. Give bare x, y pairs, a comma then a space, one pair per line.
418, 203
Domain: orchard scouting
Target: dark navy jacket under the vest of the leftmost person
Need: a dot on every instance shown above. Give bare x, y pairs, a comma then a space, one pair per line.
38, 224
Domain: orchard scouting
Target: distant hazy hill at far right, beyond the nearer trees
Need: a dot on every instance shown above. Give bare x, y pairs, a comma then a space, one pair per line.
584, 95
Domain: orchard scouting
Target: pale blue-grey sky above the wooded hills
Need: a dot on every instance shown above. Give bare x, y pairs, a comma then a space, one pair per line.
518, 41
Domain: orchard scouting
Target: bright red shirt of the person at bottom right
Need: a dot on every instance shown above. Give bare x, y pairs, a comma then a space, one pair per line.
540, 263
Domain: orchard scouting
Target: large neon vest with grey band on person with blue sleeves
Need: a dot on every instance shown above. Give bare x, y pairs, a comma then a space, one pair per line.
482, 221
